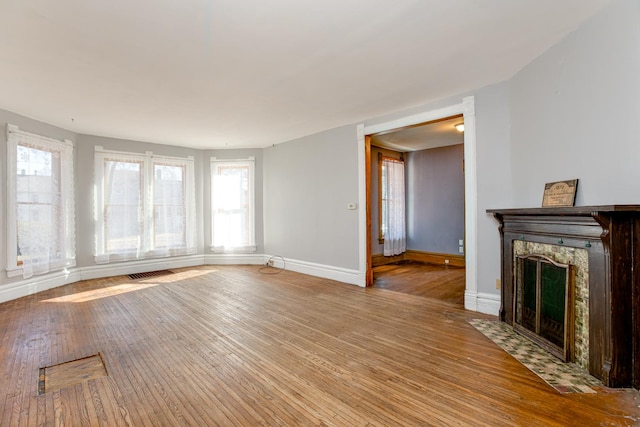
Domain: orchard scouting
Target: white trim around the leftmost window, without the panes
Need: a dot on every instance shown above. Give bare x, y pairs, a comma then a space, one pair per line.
12, 268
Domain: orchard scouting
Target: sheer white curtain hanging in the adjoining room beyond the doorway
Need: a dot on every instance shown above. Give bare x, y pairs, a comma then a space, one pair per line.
395, 238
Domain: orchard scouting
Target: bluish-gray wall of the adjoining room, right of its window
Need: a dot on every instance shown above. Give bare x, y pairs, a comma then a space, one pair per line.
435, 199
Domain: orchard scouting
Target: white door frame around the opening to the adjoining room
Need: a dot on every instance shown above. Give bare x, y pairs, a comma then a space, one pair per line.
467, 109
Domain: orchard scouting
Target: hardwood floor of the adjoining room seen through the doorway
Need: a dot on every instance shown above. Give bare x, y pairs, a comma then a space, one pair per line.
425, 280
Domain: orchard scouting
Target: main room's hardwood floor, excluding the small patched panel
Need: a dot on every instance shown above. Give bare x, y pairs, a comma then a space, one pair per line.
226, 345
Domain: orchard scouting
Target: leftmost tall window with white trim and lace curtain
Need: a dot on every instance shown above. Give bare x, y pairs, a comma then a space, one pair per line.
40, 202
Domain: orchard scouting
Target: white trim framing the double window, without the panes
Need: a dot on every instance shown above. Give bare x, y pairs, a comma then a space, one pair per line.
148, 159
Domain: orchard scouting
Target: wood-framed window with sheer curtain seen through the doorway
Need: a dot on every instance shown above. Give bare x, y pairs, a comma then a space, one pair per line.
391, 205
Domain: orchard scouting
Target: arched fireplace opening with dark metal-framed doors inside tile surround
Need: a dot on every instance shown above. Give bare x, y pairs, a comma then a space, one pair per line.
543, 303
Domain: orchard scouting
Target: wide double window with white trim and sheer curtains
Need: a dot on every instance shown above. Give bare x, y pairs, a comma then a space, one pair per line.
145, 206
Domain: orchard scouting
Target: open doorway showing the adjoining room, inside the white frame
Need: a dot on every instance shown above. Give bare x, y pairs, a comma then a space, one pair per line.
432, 193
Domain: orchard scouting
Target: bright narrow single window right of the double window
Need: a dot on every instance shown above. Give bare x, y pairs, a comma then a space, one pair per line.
232, 205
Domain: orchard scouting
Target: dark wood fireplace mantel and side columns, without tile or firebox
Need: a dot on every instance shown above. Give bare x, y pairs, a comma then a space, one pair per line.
611, 236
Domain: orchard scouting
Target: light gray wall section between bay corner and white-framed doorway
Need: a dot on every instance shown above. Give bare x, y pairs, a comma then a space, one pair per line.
308, 183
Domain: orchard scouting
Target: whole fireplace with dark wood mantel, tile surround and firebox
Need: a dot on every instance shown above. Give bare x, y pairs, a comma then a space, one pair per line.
595, 251
